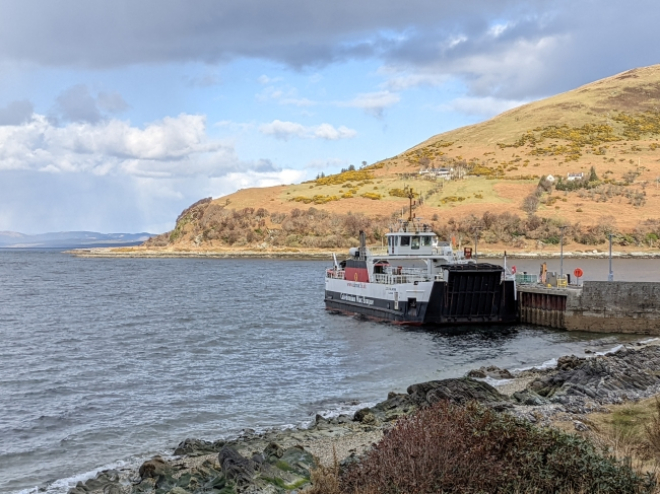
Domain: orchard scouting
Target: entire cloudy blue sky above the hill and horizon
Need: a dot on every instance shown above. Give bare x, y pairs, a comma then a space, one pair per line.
116, 116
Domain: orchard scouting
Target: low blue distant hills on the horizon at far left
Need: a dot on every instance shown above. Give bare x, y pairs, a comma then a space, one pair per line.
70, 240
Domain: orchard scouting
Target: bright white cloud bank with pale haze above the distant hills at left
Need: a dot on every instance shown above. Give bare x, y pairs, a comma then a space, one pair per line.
113, 176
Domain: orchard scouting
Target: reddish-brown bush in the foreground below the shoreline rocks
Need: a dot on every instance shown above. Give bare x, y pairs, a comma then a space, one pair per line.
471, 449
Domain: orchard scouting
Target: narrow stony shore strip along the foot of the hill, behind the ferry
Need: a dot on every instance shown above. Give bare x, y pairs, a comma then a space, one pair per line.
312, 255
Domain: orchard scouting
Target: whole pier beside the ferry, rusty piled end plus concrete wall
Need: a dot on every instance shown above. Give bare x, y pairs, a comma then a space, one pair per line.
598, 306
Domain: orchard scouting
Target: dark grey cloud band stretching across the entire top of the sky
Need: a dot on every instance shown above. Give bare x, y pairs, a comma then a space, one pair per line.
547, 46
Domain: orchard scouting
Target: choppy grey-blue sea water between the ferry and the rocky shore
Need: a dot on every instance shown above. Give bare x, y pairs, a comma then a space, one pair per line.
108, 360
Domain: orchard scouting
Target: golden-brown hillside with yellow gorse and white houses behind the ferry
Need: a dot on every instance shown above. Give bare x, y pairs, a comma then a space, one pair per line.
607, 130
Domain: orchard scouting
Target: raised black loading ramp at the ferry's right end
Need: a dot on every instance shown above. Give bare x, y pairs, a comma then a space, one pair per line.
473, 293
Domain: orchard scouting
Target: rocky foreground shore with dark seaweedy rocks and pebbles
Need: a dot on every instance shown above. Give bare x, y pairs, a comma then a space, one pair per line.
278, 461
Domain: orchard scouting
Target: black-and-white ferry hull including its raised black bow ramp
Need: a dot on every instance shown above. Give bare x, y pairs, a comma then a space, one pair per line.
468, 296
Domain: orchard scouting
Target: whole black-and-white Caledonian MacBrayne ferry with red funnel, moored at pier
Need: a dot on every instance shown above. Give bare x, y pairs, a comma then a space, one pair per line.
420, 280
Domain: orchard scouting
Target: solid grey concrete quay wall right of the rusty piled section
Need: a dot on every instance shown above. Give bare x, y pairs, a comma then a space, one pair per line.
615, 307
